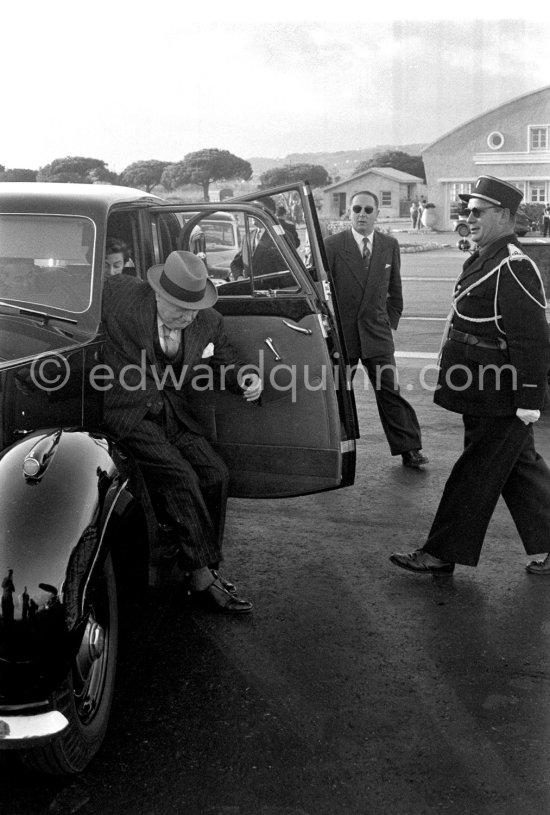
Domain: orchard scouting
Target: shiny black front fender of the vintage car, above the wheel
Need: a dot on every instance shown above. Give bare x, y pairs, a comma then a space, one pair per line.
61, 491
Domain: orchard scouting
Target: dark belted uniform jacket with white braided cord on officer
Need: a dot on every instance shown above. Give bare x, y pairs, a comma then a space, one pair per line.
489, 382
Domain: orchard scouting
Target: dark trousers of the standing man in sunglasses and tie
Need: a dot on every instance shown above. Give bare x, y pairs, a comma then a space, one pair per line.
398, 418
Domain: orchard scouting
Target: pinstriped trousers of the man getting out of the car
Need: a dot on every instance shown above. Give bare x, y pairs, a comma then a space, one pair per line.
188, 480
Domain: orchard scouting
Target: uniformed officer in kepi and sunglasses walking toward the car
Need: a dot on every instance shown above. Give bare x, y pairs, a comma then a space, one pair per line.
493, 370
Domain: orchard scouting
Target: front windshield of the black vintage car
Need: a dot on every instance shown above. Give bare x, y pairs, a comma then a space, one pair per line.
47, 260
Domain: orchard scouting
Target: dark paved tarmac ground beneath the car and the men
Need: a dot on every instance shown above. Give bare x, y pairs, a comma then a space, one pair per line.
354, 688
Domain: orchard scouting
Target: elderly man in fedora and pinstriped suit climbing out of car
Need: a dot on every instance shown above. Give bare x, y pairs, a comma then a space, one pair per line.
156, 333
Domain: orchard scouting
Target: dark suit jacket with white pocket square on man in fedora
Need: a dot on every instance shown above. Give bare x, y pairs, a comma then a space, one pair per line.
129, 316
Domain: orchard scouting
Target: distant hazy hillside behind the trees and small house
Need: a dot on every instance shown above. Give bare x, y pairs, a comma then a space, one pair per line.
340, 163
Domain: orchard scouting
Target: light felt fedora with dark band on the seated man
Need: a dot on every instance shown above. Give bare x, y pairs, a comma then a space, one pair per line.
183, 280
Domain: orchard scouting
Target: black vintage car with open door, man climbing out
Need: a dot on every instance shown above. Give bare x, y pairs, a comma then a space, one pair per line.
72, 501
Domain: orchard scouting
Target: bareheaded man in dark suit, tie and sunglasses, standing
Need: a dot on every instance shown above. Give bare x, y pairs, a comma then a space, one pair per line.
365, 268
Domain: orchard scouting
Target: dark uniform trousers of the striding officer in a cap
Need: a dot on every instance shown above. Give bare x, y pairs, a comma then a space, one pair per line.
499, 458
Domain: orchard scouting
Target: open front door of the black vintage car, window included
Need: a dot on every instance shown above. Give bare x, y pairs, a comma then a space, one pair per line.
275, 301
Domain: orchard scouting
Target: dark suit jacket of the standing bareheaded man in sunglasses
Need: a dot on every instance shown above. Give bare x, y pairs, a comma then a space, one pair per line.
370, 304
